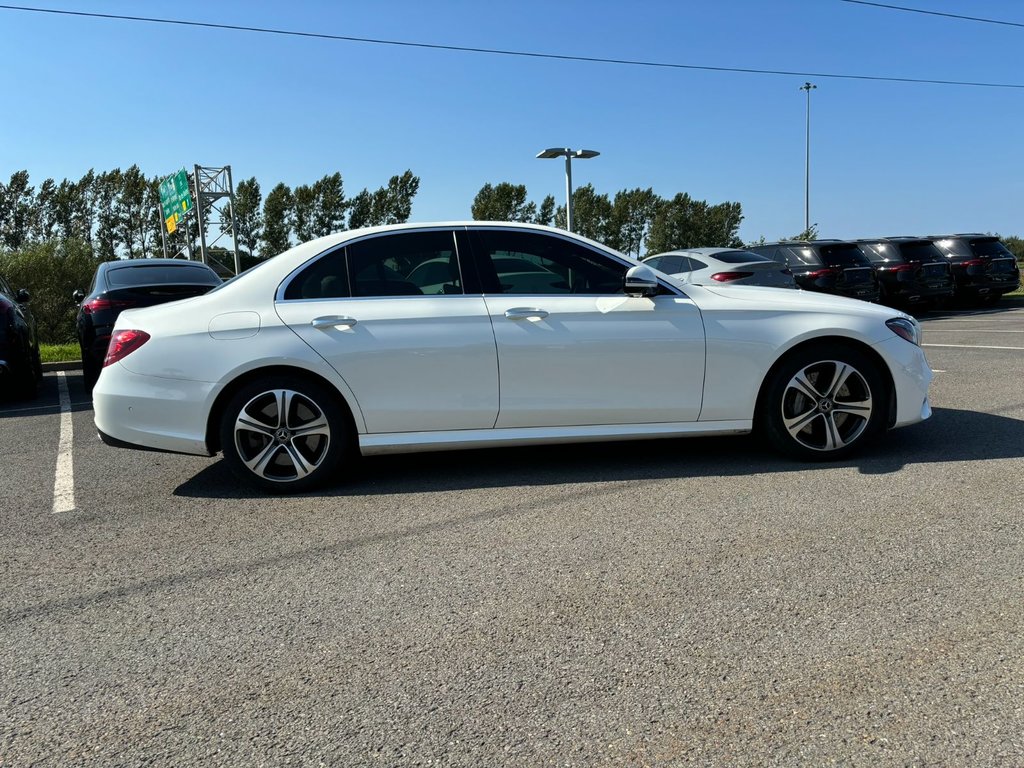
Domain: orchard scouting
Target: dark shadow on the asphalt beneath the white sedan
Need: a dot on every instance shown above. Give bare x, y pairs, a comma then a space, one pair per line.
951, 436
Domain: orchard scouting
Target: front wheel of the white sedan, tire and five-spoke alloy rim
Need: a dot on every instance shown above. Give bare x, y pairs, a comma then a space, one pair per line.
824, 404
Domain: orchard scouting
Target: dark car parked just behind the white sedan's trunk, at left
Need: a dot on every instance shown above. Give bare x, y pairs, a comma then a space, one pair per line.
126, 285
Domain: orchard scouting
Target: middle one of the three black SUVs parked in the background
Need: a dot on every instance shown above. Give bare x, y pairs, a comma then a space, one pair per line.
911, 271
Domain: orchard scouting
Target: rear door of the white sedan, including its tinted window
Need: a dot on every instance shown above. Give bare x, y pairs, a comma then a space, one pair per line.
416, 350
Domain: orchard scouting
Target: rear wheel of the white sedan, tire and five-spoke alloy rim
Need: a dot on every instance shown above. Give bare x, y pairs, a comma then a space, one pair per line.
292, 455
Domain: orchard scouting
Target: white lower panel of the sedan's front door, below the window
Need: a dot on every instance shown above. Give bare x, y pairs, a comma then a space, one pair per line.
599, 360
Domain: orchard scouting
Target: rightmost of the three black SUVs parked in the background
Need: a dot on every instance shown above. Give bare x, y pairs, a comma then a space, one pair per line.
984, 268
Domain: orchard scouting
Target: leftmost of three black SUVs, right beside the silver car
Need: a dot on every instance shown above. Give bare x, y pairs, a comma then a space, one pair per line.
826, 266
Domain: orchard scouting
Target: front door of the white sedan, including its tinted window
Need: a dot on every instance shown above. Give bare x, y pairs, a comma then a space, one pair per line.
573, 349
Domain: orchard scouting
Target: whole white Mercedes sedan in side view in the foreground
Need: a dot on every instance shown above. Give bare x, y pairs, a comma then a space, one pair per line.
344, 346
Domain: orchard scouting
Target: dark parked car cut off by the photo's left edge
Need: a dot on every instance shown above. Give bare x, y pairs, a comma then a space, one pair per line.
21, 368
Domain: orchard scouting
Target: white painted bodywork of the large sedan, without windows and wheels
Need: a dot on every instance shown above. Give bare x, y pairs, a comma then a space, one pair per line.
673, 366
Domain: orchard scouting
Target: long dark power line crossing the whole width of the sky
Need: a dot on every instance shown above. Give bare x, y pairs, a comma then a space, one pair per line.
502, 53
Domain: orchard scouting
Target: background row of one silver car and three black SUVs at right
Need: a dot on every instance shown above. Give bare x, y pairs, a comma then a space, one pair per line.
902, 272
